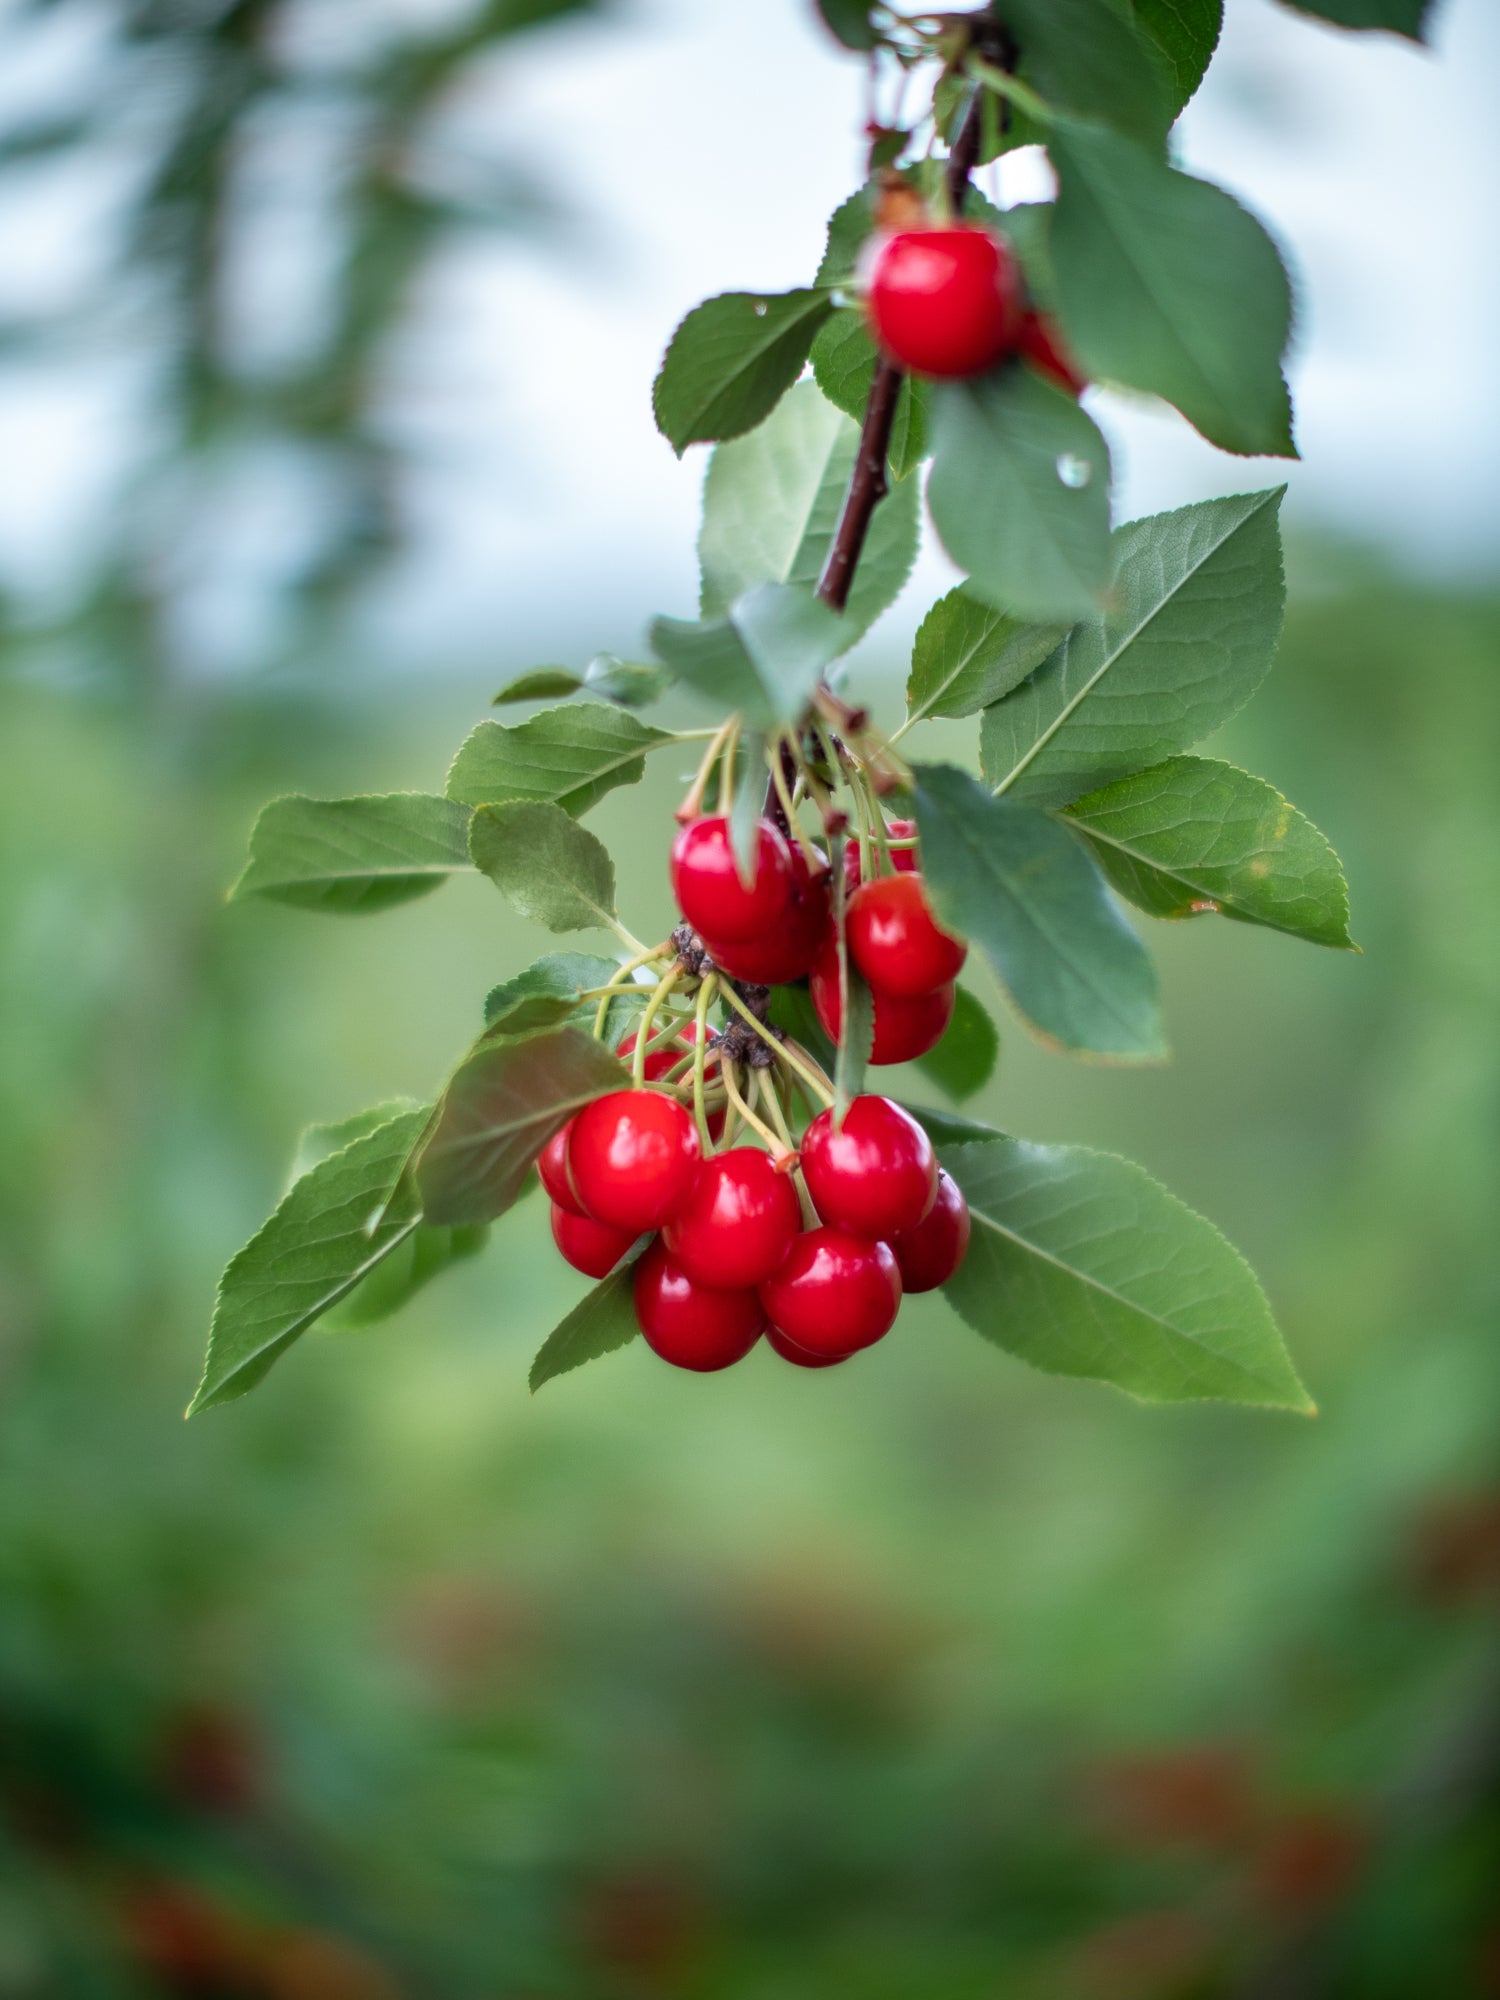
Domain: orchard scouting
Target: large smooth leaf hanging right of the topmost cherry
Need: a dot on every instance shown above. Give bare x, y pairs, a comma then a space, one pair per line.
1167, 285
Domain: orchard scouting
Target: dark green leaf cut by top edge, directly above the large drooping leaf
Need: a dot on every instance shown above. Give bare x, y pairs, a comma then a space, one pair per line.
1089, 59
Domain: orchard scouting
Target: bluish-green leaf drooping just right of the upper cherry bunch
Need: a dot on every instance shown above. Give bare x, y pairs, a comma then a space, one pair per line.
1023, 889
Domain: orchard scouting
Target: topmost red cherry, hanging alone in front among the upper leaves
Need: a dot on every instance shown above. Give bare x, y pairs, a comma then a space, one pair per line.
947, 303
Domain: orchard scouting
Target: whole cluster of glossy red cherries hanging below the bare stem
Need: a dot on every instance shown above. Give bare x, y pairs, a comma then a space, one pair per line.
813, 1247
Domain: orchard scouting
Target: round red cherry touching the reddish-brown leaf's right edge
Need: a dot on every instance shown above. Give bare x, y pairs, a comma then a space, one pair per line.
633, 1157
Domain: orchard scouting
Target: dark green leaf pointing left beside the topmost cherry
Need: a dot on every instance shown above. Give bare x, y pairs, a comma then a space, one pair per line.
731, 363
